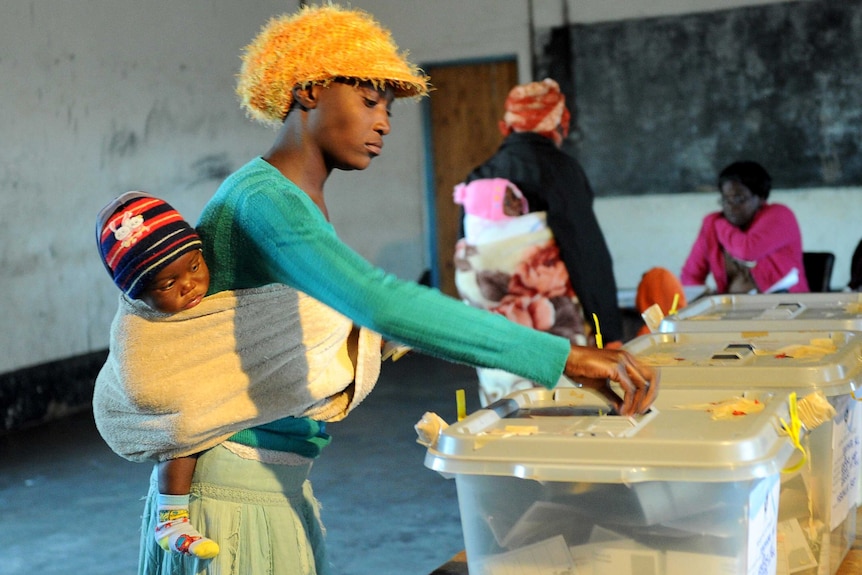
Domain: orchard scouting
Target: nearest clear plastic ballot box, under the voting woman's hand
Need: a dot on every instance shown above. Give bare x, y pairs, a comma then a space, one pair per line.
553, 482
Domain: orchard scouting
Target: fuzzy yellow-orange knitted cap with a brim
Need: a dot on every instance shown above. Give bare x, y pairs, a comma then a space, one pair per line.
315, 46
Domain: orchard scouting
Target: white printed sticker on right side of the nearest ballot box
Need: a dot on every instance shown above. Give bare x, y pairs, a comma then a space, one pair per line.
762, 526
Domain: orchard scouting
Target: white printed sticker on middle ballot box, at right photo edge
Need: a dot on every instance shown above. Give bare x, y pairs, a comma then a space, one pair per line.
845, 458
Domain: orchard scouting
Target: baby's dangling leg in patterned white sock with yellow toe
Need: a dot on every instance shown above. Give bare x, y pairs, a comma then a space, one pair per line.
173, 530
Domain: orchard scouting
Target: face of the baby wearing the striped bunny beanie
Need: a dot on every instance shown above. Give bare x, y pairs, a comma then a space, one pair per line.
179, 286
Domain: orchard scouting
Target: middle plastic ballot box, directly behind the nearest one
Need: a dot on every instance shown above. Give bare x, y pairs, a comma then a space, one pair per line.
823, 495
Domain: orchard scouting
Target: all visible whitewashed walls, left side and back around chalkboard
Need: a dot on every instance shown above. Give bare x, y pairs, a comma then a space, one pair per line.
103, 96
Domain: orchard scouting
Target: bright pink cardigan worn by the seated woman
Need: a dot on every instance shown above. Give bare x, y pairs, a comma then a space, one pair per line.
773, 241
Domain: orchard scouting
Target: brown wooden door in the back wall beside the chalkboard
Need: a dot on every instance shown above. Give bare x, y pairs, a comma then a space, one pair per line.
463, 114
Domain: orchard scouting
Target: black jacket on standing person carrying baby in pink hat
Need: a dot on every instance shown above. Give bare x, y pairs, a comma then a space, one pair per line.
553, 181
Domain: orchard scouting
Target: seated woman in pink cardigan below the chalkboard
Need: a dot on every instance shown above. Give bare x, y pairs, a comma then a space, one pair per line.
750, 246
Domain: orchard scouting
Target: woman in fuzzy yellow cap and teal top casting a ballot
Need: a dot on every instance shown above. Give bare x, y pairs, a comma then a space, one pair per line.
328, 77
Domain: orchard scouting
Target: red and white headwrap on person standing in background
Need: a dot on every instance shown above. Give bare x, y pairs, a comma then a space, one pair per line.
538, 107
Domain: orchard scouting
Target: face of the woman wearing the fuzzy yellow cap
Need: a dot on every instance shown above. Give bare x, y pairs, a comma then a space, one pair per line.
349, 123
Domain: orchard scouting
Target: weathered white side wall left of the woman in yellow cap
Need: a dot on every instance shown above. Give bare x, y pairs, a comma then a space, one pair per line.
100, 97
